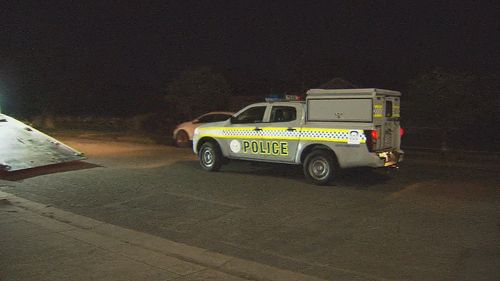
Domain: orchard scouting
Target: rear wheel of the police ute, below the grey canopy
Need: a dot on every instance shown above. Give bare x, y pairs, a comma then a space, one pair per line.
320, 167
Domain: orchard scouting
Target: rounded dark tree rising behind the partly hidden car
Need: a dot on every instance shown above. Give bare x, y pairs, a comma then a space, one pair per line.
198, 91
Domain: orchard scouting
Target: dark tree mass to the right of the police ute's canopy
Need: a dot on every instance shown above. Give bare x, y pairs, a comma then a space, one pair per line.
461, 105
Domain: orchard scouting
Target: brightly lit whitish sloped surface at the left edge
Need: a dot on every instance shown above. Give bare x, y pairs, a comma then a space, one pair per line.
23, 147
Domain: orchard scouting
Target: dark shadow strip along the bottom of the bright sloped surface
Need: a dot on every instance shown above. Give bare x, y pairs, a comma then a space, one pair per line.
46, 170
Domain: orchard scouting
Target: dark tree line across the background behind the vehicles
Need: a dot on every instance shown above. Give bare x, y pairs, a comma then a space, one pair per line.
463, 108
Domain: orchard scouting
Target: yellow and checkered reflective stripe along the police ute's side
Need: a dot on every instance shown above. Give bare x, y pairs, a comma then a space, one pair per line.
340, 135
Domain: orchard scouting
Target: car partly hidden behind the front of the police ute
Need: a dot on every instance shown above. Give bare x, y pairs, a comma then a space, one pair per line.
183, 133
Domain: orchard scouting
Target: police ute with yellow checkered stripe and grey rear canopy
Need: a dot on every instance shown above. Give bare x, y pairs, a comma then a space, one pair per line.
330, 130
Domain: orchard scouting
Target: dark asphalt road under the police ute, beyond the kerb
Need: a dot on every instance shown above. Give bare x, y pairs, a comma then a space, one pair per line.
432, 220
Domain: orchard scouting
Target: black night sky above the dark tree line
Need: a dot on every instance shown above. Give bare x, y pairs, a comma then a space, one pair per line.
134, 49
